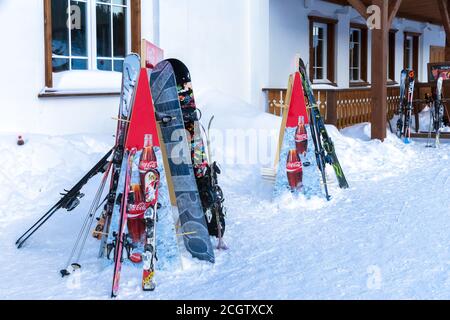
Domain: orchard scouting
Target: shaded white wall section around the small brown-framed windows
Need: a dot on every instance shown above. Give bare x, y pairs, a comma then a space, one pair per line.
289, 35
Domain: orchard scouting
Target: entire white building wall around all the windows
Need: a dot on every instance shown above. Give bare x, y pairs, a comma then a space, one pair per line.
234, 46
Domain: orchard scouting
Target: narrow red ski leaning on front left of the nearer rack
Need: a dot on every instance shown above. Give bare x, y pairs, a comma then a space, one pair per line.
120, 236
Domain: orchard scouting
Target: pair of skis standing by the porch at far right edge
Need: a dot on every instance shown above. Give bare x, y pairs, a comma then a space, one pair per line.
436, 113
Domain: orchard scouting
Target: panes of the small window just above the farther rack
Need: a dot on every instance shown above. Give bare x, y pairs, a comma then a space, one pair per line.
320, 51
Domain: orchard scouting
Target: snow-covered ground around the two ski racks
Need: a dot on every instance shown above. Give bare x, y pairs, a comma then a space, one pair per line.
386, 237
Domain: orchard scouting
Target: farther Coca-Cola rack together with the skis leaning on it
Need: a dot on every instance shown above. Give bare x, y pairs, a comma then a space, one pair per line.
304, 140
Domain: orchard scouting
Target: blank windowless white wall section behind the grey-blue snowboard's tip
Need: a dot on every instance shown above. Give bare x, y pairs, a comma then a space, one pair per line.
212, 39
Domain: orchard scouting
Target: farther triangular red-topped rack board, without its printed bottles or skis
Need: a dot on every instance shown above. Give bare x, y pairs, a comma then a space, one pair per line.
296, 108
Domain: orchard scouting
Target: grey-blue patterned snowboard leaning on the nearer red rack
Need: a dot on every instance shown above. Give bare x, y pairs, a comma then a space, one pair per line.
175, 140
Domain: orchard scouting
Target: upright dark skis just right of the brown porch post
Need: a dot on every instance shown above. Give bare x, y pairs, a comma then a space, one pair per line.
405, 108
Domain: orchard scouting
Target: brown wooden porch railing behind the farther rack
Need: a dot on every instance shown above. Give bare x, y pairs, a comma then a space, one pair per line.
347, 107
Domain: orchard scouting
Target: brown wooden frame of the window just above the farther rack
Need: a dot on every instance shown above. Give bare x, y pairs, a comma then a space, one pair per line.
330, 49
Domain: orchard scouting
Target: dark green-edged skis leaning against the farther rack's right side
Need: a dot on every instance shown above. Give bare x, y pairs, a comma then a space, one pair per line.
324, 146
